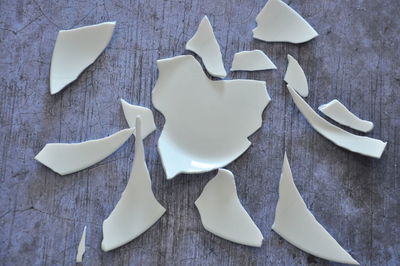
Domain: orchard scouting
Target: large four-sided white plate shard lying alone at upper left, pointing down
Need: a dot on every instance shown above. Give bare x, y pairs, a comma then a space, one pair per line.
75, 50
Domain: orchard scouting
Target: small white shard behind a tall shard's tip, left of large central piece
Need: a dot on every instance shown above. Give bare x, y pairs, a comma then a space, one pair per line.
132, 111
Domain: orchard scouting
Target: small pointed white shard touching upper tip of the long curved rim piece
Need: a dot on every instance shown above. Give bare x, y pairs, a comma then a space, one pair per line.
295, 77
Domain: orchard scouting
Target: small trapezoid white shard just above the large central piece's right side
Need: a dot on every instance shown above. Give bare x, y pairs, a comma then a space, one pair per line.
251, 61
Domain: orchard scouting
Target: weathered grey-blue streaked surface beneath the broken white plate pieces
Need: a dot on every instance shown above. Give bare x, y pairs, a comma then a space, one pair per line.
355, 59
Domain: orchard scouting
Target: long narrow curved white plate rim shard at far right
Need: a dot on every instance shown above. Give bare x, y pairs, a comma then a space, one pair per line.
359, 144
